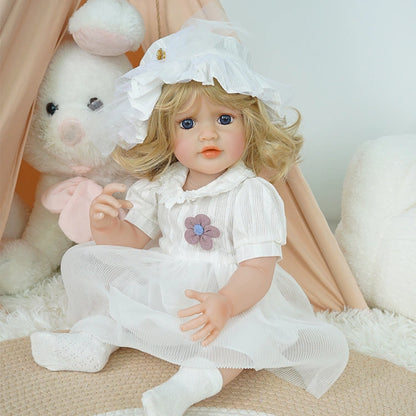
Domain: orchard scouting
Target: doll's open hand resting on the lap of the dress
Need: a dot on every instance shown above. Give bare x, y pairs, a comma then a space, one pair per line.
214, 310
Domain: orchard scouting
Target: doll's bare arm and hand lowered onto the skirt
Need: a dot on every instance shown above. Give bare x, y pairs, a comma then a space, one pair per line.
247, 286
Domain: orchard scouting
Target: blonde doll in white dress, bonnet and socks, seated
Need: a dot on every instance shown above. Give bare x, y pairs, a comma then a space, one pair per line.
210, 297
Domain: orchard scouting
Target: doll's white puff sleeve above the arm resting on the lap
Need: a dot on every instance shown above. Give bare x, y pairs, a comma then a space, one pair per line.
259, 225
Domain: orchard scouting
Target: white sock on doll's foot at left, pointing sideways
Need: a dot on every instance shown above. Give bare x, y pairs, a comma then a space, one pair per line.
70, 352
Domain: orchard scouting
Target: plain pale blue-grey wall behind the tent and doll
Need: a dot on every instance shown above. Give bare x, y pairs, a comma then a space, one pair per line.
352, 68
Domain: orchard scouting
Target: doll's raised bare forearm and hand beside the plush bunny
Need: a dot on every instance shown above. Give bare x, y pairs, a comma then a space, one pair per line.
106, 225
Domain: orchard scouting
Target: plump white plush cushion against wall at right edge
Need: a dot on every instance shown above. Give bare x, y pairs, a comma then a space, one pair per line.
377, 232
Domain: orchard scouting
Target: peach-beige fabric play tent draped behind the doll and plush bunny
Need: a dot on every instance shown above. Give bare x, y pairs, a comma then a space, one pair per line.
30, 33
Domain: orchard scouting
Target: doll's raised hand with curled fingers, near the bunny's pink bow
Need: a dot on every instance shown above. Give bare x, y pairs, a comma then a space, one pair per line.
105, 208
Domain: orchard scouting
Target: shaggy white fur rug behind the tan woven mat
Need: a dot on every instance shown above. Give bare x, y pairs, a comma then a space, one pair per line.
380, 334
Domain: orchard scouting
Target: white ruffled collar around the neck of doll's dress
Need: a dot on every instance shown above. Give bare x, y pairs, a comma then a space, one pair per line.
171, 183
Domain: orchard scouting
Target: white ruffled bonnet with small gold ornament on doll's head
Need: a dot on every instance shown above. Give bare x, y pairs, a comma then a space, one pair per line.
201, 51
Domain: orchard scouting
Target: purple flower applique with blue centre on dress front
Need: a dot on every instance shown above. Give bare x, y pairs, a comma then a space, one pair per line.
199, 230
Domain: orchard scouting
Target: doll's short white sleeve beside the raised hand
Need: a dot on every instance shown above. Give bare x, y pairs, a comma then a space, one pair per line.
143, 196
